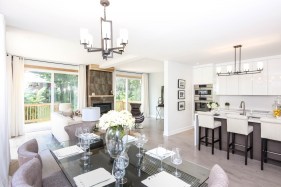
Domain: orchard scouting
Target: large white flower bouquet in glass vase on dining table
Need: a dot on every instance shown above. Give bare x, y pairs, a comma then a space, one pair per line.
115, 118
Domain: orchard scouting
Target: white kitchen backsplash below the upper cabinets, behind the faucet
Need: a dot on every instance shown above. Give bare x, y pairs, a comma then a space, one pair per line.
252, 102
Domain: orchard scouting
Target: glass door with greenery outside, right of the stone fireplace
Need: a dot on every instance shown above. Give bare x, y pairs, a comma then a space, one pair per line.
128, 90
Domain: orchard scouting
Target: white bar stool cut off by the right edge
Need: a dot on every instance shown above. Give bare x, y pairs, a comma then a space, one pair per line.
270, 130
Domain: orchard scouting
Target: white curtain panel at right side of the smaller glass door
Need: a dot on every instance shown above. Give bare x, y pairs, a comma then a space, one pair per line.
144, 95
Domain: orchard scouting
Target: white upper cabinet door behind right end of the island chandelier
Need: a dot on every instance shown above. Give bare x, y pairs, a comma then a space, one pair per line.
260, 83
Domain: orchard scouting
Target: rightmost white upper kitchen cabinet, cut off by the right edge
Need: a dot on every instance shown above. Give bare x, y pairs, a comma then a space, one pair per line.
274, 76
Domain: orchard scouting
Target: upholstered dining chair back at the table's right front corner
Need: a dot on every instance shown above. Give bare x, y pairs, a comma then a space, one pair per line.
218, 177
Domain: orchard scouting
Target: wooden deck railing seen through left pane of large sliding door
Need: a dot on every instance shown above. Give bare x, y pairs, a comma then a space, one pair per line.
37, 112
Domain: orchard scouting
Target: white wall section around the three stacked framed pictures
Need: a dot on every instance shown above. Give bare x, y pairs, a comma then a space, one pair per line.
177, 121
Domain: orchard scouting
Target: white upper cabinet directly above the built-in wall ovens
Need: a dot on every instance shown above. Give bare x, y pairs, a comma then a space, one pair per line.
203, 74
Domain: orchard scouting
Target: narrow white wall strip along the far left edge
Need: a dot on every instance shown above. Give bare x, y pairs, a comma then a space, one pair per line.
4, 128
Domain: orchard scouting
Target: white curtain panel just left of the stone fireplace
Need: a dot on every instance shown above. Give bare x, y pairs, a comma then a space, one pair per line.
82, 97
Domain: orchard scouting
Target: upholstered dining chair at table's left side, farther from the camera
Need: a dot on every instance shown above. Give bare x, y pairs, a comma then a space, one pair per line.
28, 151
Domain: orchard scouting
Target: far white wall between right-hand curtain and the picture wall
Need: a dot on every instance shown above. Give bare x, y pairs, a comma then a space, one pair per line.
156, 80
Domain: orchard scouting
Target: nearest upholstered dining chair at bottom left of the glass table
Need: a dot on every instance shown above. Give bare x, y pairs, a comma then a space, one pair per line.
28, 174
